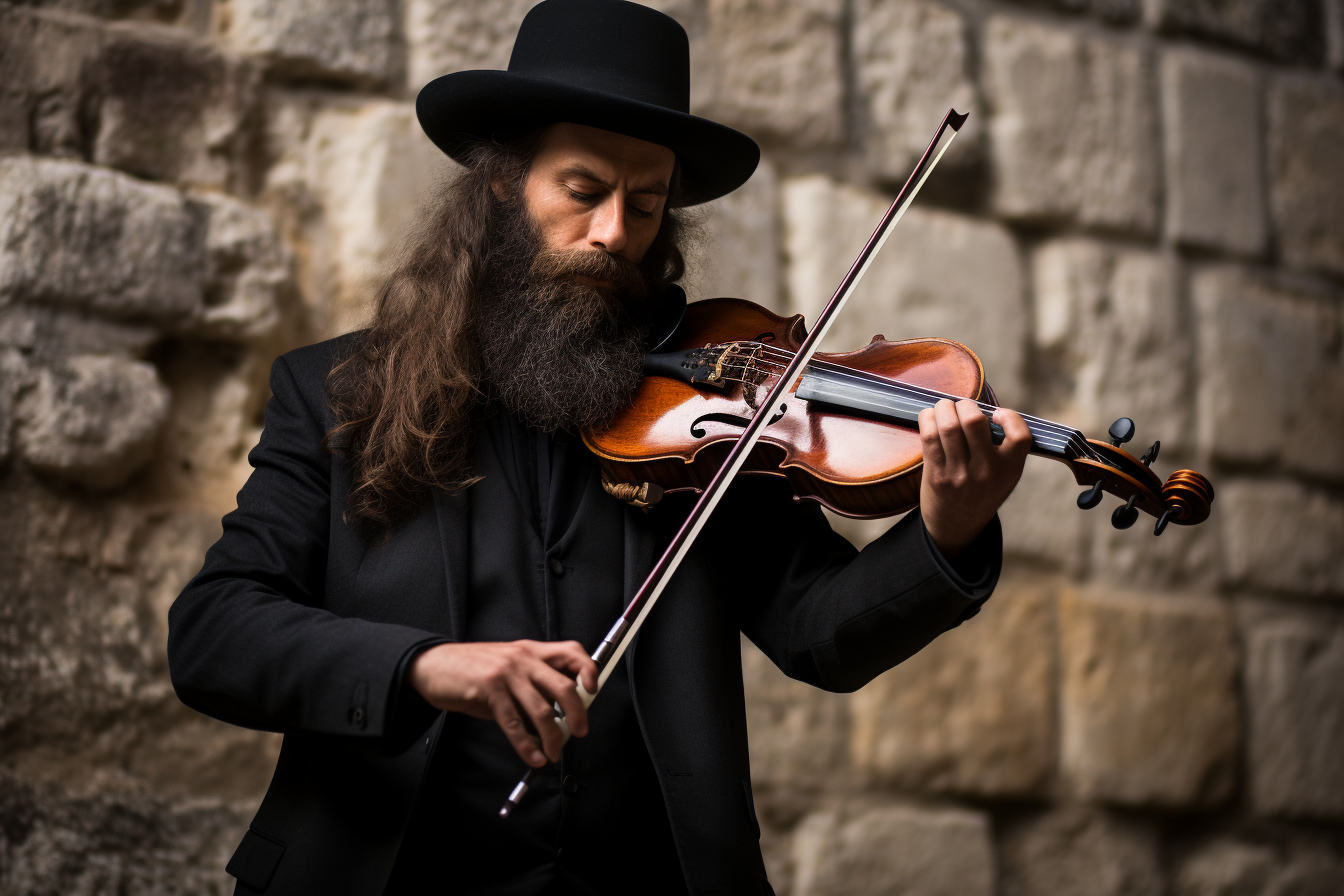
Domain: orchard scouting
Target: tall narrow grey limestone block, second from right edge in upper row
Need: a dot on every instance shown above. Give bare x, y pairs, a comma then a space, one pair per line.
1212, 123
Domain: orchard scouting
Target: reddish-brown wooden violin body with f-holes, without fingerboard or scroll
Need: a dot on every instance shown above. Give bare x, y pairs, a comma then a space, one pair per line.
677, 436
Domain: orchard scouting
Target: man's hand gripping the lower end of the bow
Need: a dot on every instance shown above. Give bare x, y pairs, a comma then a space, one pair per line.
506, 680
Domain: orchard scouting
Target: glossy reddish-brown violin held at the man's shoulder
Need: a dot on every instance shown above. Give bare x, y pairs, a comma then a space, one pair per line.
846, 435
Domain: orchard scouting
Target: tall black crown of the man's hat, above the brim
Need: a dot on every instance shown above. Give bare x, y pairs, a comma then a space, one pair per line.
608, 46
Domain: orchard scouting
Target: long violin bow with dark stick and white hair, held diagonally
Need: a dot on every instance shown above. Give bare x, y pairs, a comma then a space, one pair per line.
623, 633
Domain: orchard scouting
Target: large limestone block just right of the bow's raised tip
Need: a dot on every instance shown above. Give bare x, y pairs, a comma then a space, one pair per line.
1073, 134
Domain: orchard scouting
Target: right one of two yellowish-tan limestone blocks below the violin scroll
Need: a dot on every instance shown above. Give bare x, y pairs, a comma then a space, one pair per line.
1148, 699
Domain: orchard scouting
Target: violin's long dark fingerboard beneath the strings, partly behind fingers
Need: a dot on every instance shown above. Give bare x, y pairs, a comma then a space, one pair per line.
878, 398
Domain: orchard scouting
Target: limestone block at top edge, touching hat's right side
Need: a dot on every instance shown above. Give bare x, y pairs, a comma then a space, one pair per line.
778, 69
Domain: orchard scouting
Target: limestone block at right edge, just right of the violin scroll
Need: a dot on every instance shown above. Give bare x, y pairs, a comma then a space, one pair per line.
1282, 537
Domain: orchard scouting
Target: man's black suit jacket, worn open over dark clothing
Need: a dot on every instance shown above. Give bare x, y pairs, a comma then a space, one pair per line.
298, 625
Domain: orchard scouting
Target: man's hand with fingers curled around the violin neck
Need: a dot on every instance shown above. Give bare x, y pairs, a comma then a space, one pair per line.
966, 476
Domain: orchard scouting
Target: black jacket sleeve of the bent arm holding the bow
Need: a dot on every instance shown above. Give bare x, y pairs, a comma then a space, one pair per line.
248, 640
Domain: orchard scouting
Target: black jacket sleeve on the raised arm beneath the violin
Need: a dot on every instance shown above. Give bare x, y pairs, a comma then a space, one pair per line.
835, 617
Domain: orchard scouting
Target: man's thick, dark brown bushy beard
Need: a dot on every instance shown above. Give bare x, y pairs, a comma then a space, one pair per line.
558, 354
